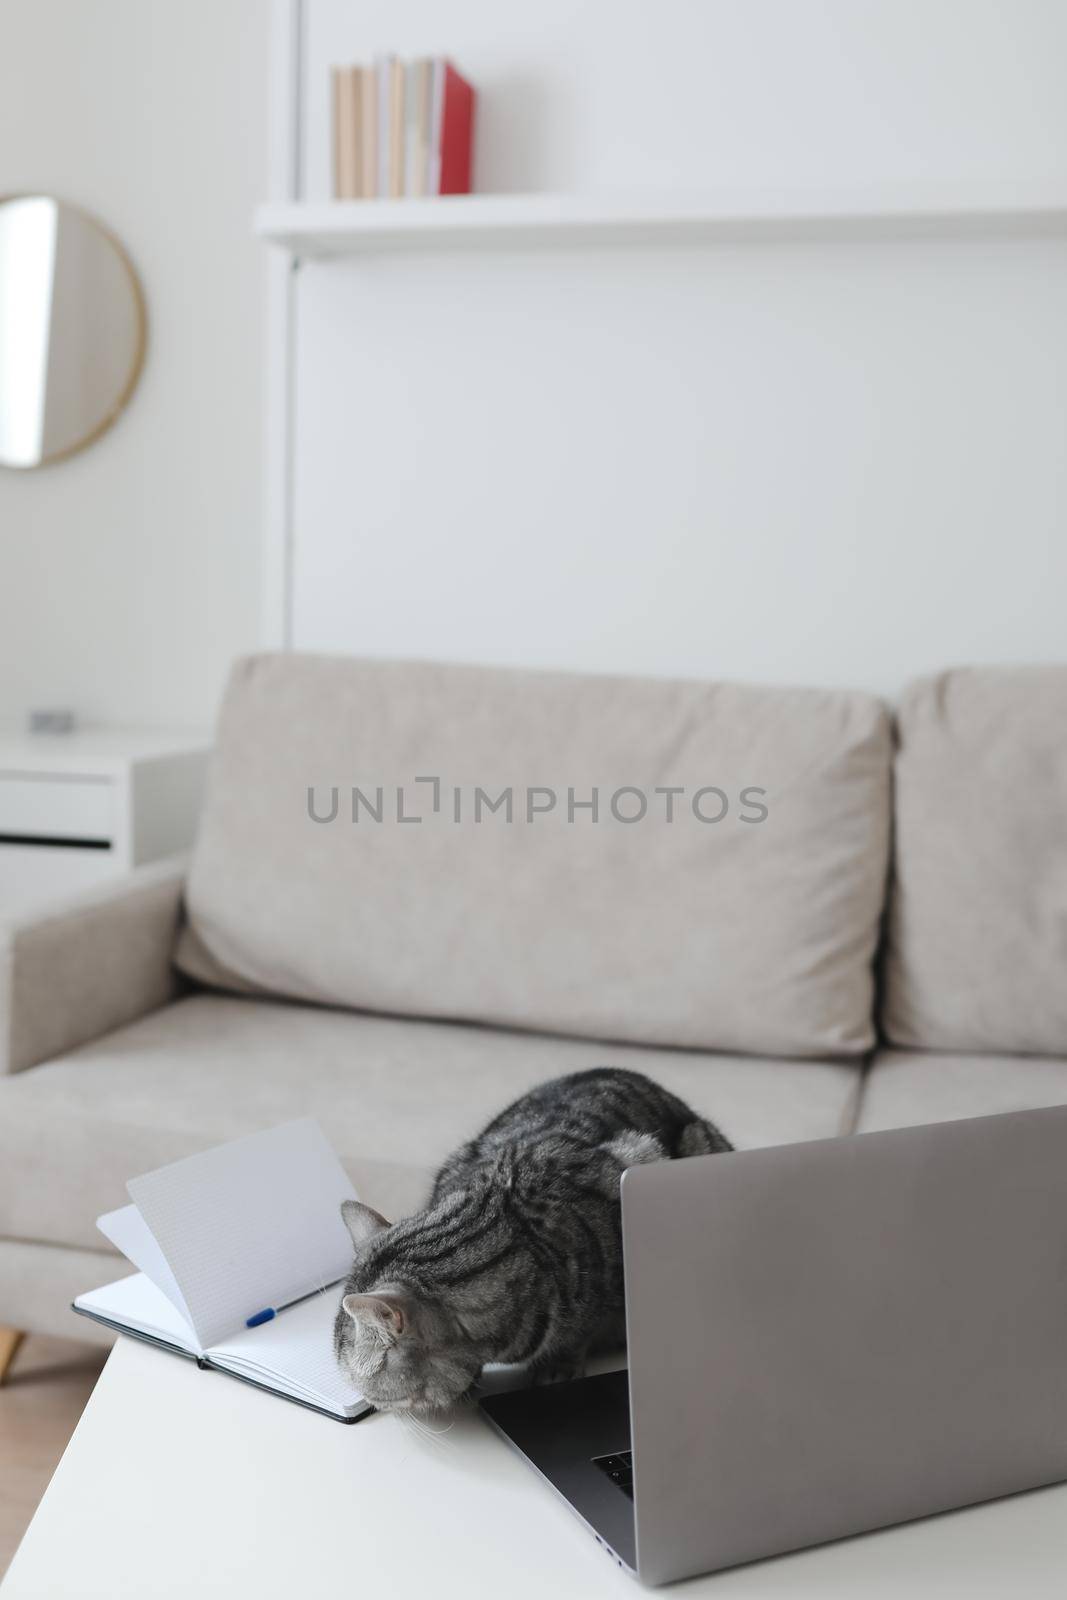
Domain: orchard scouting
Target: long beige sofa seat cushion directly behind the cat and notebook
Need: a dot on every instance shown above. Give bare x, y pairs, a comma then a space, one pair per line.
393, 1097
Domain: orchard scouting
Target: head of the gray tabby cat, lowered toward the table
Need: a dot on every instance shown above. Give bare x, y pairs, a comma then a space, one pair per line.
402, 1351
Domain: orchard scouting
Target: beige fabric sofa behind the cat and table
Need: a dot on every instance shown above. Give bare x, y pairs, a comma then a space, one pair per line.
420, 890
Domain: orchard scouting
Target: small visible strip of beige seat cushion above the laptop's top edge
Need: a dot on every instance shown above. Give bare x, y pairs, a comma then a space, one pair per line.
908, 1087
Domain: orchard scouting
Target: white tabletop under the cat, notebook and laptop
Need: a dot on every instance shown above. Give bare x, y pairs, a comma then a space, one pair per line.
182, 1482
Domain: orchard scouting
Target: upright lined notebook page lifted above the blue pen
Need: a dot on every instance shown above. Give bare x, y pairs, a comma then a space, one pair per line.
249, 1225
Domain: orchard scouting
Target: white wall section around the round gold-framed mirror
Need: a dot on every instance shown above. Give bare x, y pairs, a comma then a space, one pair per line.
129, 575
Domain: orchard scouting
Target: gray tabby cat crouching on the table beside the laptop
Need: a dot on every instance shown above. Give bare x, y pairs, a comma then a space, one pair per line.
519, 1254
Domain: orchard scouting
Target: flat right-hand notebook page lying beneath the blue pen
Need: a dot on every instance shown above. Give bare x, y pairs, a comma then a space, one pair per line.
297, 1348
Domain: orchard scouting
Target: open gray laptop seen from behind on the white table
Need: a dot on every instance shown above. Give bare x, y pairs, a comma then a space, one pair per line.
823, 1340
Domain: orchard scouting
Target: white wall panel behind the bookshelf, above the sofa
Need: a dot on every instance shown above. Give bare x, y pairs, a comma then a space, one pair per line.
833, 462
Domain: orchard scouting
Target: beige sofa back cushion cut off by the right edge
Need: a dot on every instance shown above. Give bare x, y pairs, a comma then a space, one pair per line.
978, 916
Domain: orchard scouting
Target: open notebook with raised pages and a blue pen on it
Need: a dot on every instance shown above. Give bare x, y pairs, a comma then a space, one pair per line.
244, 1233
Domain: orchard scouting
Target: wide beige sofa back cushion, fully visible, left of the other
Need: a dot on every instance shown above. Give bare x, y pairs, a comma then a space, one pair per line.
725, 894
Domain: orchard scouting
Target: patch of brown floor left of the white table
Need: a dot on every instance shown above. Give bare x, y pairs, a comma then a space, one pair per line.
41, 1404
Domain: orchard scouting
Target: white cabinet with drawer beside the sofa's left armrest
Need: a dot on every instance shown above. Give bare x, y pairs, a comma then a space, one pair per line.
76, 809
